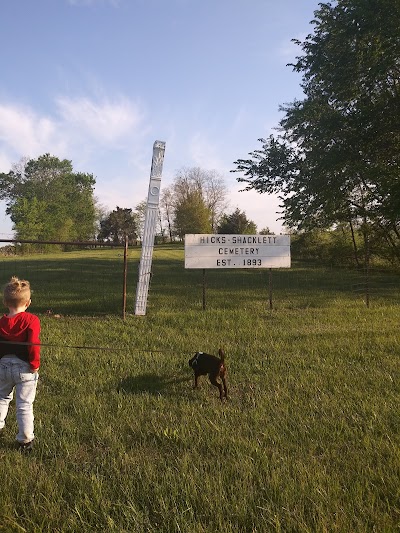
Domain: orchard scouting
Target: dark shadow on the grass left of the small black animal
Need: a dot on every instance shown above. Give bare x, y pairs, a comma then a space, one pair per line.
150, 383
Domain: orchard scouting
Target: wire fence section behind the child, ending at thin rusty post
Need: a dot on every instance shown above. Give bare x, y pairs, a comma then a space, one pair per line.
86, 278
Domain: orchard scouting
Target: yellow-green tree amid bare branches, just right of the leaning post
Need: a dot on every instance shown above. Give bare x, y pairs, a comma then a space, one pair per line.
192, 215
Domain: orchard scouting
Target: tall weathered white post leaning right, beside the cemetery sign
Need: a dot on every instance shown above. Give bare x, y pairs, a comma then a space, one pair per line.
149, 228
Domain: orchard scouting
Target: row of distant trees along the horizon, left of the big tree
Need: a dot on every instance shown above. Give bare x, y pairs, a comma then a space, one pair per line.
48, 201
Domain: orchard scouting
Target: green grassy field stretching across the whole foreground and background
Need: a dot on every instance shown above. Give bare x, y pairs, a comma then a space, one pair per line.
309, 440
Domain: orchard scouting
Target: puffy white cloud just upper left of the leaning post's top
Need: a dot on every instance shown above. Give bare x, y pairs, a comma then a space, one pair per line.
105, 122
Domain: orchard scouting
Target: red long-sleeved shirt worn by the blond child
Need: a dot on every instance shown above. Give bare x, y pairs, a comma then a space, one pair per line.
22, 327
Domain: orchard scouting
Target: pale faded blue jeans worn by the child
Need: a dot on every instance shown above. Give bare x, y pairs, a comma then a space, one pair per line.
16, 374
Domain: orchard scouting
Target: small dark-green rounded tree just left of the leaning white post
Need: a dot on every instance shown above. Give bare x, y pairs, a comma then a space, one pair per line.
119, 223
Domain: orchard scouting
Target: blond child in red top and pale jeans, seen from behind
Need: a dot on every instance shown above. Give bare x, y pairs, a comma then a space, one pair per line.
19, 363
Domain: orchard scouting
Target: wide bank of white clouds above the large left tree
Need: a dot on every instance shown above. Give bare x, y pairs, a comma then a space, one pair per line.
79, 129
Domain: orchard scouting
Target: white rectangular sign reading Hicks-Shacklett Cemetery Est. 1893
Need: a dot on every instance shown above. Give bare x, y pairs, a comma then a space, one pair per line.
237, 251
